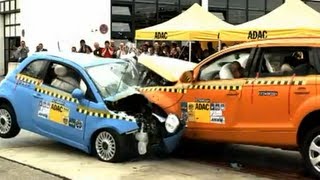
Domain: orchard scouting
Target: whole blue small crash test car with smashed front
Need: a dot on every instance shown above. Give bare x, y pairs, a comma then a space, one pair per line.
86, 102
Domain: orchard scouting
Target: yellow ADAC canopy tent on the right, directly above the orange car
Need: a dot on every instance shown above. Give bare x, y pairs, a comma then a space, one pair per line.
292, 19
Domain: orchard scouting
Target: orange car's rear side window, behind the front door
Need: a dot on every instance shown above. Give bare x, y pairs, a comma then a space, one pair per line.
285, 61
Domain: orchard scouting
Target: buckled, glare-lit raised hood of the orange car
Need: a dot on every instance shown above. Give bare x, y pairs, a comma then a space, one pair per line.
169, 68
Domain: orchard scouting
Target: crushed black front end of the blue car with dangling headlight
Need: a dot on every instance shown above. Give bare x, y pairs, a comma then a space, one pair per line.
156, 128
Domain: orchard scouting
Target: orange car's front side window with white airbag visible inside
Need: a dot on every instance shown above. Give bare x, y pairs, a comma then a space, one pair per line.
222, 67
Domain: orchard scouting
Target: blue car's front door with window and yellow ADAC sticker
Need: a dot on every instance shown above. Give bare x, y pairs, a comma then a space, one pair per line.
55, 110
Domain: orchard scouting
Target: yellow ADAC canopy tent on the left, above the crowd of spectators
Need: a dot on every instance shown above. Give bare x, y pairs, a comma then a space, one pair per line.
195, 24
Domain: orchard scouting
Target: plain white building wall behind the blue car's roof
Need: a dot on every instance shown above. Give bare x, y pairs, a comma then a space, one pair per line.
64, 21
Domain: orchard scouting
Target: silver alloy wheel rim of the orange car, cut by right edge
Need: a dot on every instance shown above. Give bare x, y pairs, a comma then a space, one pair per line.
314, 153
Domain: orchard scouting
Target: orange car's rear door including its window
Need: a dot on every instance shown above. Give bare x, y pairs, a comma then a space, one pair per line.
269, 94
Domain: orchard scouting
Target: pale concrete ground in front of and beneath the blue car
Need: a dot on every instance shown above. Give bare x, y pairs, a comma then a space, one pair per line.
47, 155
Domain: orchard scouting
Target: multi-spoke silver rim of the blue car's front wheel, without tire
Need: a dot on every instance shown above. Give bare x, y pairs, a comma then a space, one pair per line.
105, 146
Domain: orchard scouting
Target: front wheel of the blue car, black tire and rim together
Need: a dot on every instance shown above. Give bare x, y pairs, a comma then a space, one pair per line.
109, 146
